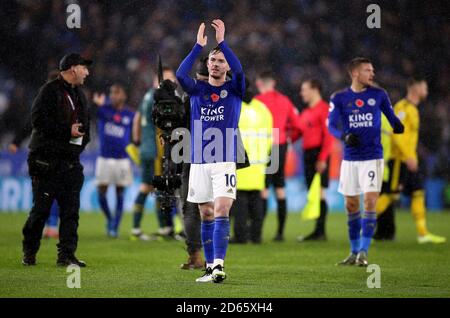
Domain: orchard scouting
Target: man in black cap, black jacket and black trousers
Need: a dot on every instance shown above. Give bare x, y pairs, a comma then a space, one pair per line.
60, 132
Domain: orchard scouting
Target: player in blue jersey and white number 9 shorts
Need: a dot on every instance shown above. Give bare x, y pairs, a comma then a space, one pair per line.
359, 109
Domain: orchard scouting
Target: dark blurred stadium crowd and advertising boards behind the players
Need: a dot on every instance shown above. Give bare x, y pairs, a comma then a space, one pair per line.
296, 39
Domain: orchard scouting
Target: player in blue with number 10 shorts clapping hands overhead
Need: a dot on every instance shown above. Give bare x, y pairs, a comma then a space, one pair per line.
215, 110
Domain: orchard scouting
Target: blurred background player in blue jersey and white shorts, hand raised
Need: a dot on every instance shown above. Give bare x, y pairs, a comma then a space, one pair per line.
113, 166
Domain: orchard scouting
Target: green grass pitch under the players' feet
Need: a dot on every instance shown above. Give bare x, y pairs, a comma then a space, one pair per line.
122, 268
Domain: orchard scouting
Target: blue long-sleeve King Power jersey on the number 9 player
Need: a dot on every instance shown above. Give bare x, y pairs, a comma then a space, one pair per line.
360, 114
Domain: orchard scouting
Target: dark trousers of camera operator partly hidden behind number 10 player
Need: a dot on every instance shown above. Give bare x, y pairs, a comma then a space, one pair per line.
191, 214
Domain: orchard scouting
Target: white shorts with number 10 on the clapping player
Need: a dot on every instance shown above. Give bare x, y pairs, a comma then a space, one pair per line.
209, 181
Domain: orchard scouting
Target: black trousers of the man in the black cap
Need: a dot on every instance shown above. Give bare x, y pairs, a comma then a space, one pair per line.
61, 182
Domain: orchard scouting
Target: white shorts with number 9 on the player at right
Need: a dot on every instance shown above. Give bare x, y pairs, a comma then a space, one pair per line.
361, 177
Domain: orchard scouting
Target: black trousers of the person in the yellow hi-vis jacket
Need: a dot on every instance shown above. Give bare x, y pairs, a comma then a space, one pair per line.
248, 213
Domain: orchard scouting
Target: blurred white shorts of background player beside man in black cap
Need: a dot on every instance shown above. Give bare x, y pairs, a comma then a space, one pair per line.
113, 171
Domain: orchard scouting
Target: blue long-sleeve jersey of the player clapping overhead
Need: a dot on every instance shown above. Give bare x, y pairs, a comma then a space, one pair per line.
217, 108
